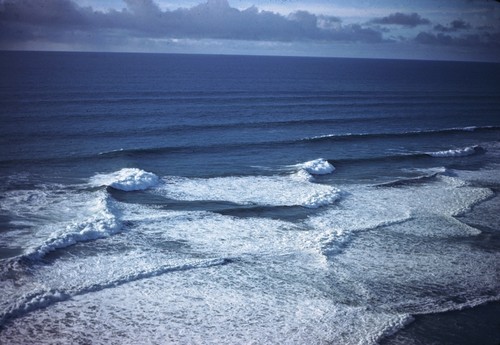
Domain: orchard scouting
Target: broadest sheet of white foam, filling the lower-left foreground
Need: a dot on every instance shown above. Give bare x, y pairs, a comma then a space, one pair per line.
244, 301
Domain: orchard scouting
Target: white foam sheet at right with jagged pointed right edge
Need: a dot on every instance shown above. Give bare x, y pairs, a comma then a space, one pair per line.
368, 208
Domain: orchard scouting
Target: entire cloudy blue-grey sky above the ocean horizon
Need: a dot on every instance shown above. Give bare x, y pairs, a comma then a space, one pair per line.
423, 29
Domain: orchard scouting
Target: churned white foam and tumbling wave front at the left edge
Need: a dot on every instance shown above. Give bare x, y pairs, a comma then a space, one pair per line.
55, 216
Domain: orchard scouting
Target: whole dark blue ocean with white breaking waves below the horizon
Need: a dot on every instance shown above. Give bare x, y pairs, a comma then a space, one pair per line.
204, 199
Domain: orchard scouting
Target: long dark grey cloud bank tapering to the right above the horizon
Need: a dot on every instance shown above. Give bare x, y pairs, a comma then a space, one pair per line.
55, 19
